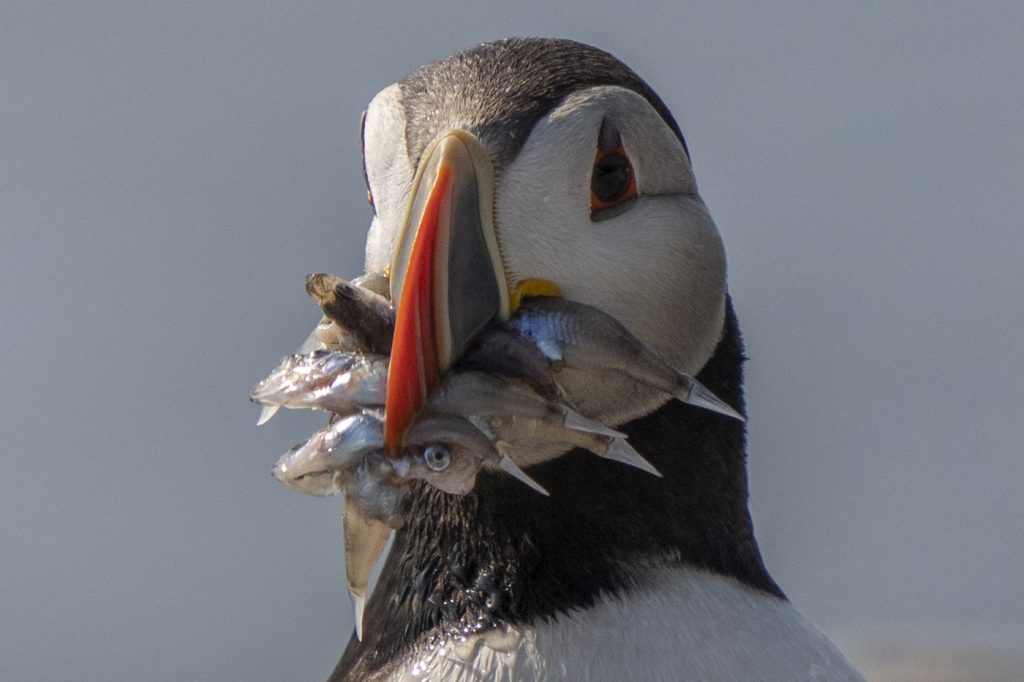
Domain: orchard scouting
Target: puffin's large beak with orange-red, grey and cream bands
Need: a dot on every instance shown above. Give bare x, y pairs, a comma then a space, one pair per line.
448, 280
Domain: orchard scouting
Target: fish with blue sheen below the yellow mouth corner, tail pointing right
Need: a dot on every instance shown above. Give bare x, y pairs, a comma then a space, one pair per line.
589, 342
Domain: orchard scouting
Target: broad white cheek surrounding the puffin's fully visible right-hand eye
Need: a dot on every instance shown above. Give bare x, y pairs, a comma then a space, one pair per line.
659, 267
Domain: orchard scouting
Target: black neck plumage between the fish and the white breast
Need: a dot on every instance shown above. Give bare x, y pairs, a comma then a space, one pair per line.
504, 555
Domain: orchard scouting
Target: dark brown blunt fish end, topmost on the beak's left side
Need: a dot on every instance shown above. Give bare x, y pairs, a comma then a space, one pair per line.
365, 316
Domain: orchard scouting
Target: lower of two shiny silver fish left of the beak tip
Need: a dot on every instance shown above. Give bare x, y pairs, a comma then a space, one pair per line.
324, 464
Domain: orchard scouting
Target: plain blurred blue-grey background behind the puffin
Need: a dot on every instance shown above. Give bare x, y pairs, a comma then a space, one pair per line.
169, 173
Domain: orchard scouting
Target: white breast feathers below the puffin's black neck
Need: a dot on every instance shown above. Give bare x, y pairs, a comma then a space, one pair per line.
693, 626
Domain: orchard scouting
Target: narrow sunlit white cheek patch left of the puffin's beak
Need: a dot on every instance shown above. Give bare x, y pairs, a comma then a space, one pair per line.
390, 173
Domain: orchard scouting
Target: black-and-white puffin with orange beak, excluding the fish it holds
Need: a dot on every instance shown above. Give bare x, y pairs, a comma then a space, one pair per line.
528, 167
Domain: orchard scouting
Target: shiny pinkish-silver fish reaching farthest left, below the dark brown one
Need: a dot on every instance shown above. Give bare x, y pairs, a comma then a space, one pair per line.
323, 379
